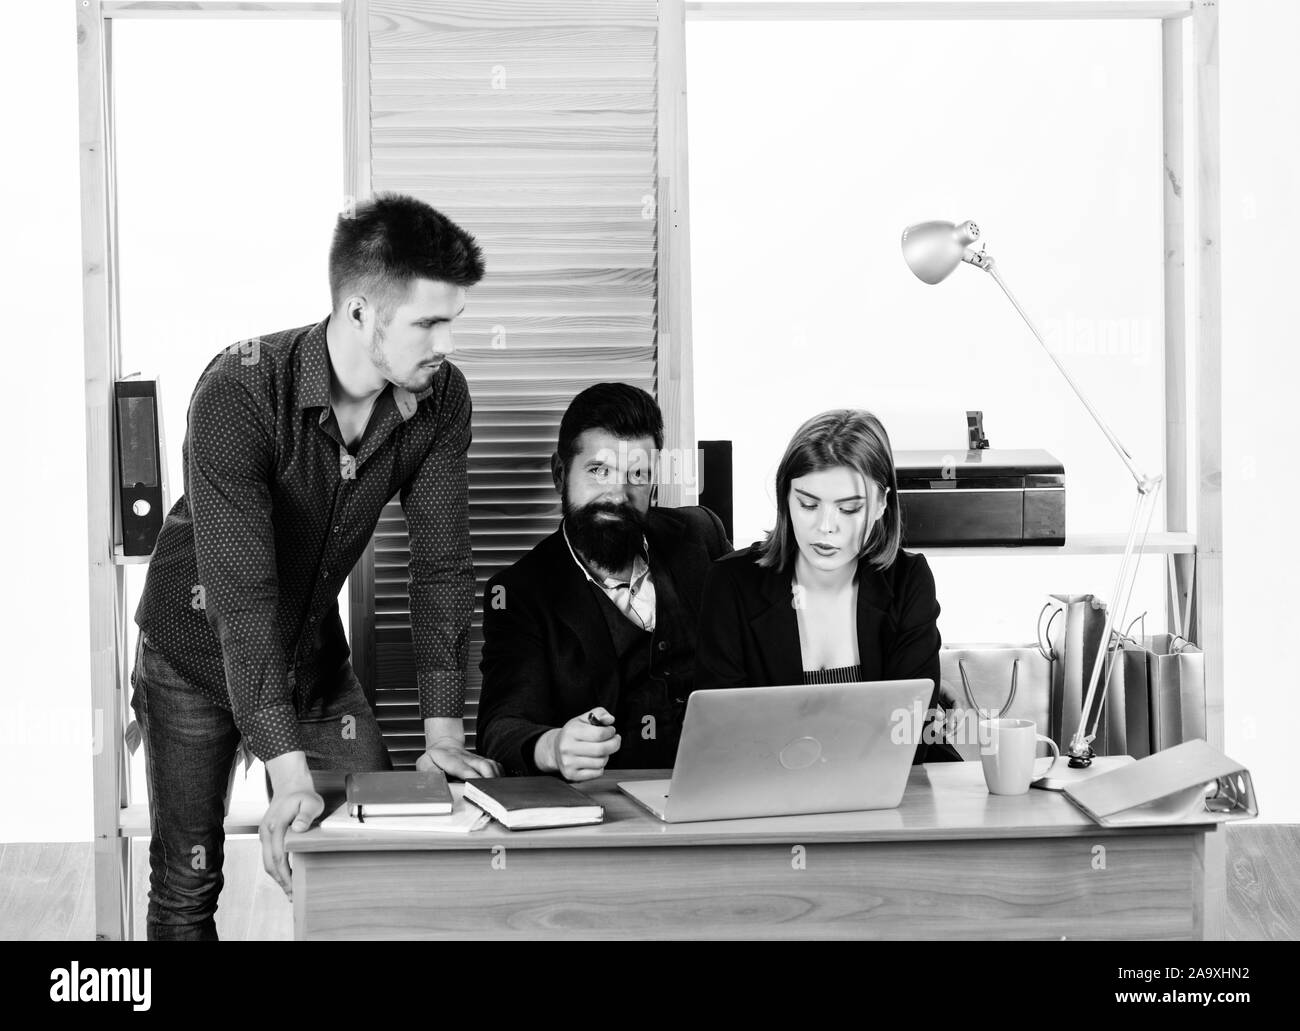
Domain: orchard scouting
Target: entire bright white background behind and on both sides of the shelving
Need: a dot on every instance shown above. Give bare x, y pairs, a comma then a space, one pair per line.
830, 145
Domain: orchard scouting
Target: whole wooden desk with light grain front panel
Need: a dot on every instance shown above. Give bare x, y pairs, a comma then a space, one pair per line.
951, 863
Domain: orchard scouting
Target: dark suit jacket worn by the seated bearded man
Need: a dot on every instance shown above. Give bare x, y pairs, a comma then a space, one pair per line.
548, 653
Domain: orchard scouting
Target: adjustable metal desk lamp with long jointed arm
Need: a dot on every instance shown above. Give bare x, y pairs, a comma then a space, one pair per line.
933, 250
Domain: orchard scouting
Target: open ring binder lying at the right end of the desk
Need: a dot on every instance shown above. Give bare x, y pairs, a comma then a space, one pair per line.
1190, 783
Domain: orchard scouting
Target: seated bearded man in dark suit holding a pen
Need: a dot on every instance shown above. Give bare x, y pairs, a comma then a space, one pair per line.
590, 640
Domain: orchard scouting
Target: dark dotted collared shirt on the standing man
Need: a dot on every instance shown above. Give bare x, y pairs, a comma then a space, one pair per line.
242, 588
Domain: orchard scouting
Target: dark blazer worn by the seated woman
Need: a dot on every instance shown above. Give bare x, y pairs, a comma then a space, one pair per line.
749, 634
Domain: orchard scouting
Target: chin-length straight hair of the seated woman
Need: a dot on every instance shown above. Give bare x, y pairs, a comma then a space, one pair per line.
851, 439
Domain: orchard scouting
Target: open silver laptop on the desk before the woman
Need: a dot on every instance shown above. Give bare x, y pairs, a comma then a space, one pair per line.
778, 752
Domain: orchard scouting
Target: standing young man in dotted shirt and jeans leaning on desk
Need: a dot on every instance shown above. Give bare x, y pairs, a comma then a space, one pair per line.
294, 444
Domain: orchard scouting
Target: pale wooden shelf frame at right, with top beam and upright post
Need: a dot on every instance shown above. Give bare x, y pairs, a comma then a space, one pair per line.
1191, 556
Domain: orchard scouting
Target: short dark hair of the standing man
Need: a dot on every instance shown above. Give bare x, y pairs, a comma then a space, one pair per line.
393, 240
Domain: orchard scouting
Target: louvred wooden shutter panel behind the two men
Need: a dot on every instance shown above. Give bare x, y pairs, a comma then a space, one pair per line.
534, 125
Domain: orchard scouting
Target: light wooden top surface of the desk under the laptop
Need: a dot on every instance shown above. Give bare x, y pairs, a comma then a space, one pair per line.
943, 802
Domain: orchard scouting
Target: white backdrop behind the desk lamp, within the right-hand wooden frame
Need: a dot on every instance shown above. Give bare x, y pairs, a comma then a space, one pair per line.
809, 157
